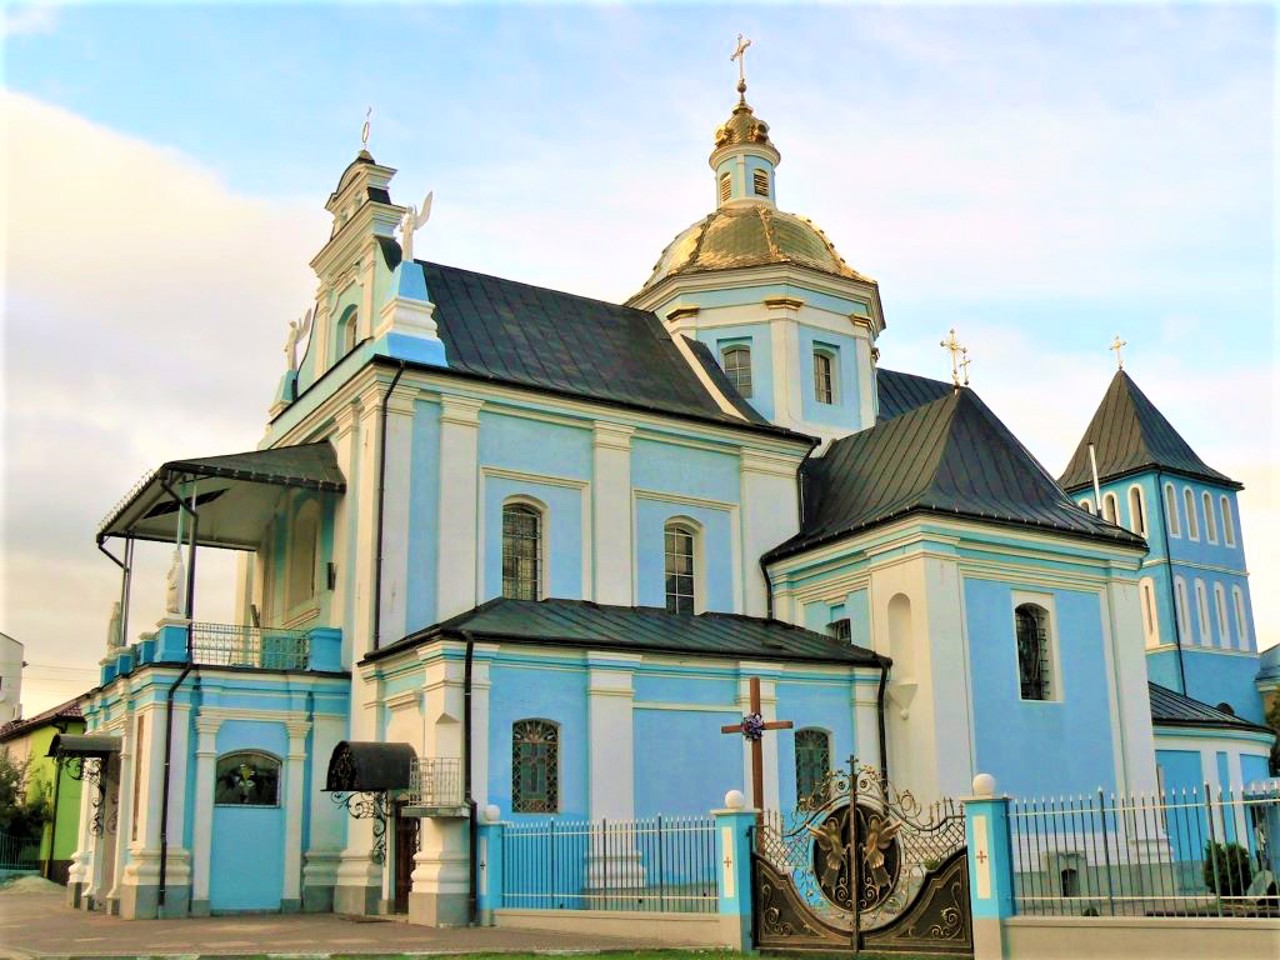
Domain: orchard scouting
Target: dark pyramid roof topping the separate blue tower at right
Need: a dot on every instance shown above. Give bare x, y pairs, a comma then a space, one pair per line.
1131, 436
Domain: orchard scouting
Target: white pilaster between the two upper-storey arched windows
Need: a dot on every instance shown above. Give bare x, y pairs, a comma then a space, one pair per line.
611, 506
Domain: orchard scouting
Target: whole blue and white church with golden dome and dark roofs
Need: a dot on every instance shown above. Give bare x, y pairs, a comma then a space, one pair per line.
508, 547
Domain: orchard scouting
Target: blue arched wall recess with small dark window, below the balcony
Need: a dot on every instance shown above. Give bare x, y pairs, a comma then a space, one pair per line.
248, 860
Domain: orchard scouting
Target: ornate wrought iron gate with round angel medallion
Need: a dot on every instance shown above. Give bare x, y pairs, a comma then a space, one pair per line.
907, 863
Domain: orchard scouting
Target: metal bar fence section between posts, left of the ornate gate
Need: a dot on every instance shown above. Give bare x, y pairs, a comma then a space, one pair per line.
661, 865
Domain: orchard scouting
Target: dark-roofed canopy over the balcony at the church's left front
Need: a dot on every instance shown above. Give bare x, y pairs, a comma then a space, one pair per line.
235, 495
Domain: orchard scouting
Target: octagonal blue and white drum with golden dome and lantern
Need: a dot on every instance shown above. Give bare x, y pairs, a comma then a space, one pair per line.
792, 324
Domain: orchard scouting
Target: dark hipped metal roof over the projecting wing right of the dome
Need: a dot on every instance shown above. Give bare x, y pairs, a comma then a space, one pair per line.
953, 458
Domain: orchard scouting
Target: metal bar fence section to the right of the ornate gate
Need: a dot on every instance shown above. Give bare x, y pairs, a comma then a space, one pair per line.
1187, 853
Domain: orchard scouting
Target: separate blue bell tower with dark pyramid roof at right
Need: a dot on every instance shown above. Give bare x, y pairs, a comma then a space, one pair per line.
1195, 593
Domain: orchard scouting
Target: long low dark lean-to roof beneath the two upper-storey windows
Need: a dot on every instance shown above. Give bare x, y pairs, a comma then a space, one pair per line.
641, 630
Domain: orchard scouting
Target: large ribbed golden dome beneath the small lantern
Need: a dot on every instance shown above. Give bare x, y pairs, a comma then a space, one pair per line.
751, 235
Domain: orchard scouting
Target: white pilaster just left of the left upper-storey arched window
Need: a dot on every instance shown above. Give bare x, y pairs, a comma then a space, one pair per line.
459, 588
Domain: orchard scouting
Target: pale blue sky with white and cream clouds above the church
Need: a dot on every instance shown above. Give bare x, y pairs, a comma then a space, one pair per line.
1040, 179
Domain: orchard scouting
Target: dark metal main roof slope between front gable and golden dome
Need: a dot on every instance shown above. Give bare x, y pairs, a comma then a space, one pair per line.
546, 340
